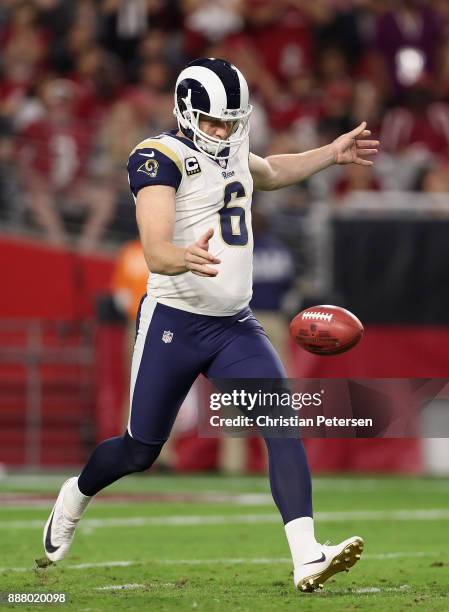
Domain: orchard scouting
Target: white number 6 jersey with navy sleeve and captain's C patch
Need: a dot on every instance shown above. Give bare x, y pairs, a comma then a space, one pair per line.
209, 194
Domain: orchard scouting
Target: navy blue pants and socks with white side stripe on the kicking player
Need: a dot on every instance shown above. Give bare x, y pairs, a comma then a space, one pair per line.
172, 348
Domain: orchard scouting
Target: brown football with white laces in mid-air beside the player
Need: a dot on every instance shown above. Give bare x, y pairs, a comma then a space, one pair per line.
326, 330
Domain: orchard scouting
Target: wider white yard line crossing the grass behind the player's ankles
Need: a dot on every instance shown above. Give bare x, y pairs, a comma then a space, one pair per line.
430, 514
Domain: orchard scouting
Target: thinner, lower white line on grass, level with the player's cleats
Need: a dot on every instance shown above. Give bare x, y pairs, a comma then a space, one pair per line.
218, 561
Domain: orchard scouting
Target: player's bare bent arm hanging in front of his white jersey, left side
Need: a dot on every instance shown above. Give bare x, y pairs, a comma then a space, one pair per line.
155, 212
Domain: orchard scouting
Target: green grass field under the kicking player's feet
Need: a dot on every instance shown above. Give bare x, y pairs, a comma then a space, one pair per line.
216, 543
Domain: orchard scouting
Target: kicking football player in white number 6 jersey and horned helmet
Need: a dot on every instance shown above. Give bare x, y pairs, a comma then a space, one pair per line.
192, 189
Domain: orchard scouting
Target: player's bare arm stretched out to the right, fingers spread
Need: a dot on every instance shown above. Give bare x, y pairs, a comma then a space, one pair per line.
276, 171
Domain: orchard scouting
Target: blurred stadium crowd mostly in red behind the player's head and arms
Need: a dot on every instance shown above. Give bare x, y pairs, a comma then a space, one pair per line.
82, 82
